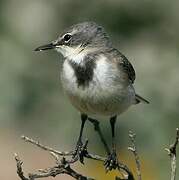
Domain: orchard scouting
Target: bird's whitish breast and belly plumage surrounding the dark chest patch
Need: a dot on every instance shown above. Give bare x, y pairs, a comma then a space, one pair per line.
106, 95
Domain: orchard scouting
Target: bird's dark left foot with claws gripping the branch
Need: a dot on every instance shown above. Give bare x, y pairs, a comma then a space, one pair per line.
80, 151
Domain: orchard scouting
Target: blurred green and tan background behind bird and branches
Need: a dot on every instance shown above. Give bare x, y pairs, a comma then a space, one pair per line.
32, 101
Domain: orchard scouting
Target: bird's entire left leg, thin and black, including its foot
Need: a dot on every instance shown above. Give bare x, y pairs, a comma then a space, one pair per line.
80, 150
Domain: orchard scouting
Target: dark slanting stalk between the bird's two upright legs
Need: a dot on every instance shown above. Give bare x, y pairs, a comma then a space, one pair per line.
98, 129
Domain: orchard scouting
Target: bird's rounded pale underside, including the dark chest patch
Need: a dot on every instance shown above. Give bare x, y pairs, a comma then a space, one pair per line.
97, 89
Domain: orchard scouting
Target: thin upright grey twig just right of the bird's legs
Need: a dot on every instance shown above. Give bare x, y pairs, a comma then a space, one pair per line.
133, 149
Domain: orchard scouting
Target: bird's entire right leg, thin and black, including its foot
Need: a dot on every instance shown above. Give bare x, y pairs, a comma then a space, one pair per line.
111, 161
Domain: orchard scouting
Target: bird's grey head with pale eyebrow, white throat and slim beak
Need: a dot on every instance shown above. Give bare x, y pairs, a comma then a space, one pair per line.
86, 35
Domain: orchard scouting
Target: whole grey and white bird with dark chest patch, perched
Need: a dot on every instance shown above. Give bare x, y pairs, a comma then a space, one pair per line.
97, 78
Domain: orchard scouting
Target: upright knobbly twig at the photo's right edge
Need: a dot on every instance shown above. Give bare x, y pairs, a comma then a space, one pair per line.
172, 153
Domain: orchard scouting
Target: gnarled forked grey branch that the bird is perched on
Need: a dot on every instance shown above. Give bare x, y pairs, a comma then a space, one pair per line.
63, 165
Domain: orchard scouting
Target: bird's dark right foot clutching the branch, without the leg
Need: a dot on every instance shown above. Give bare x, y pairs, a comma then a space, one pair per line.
111, 162
